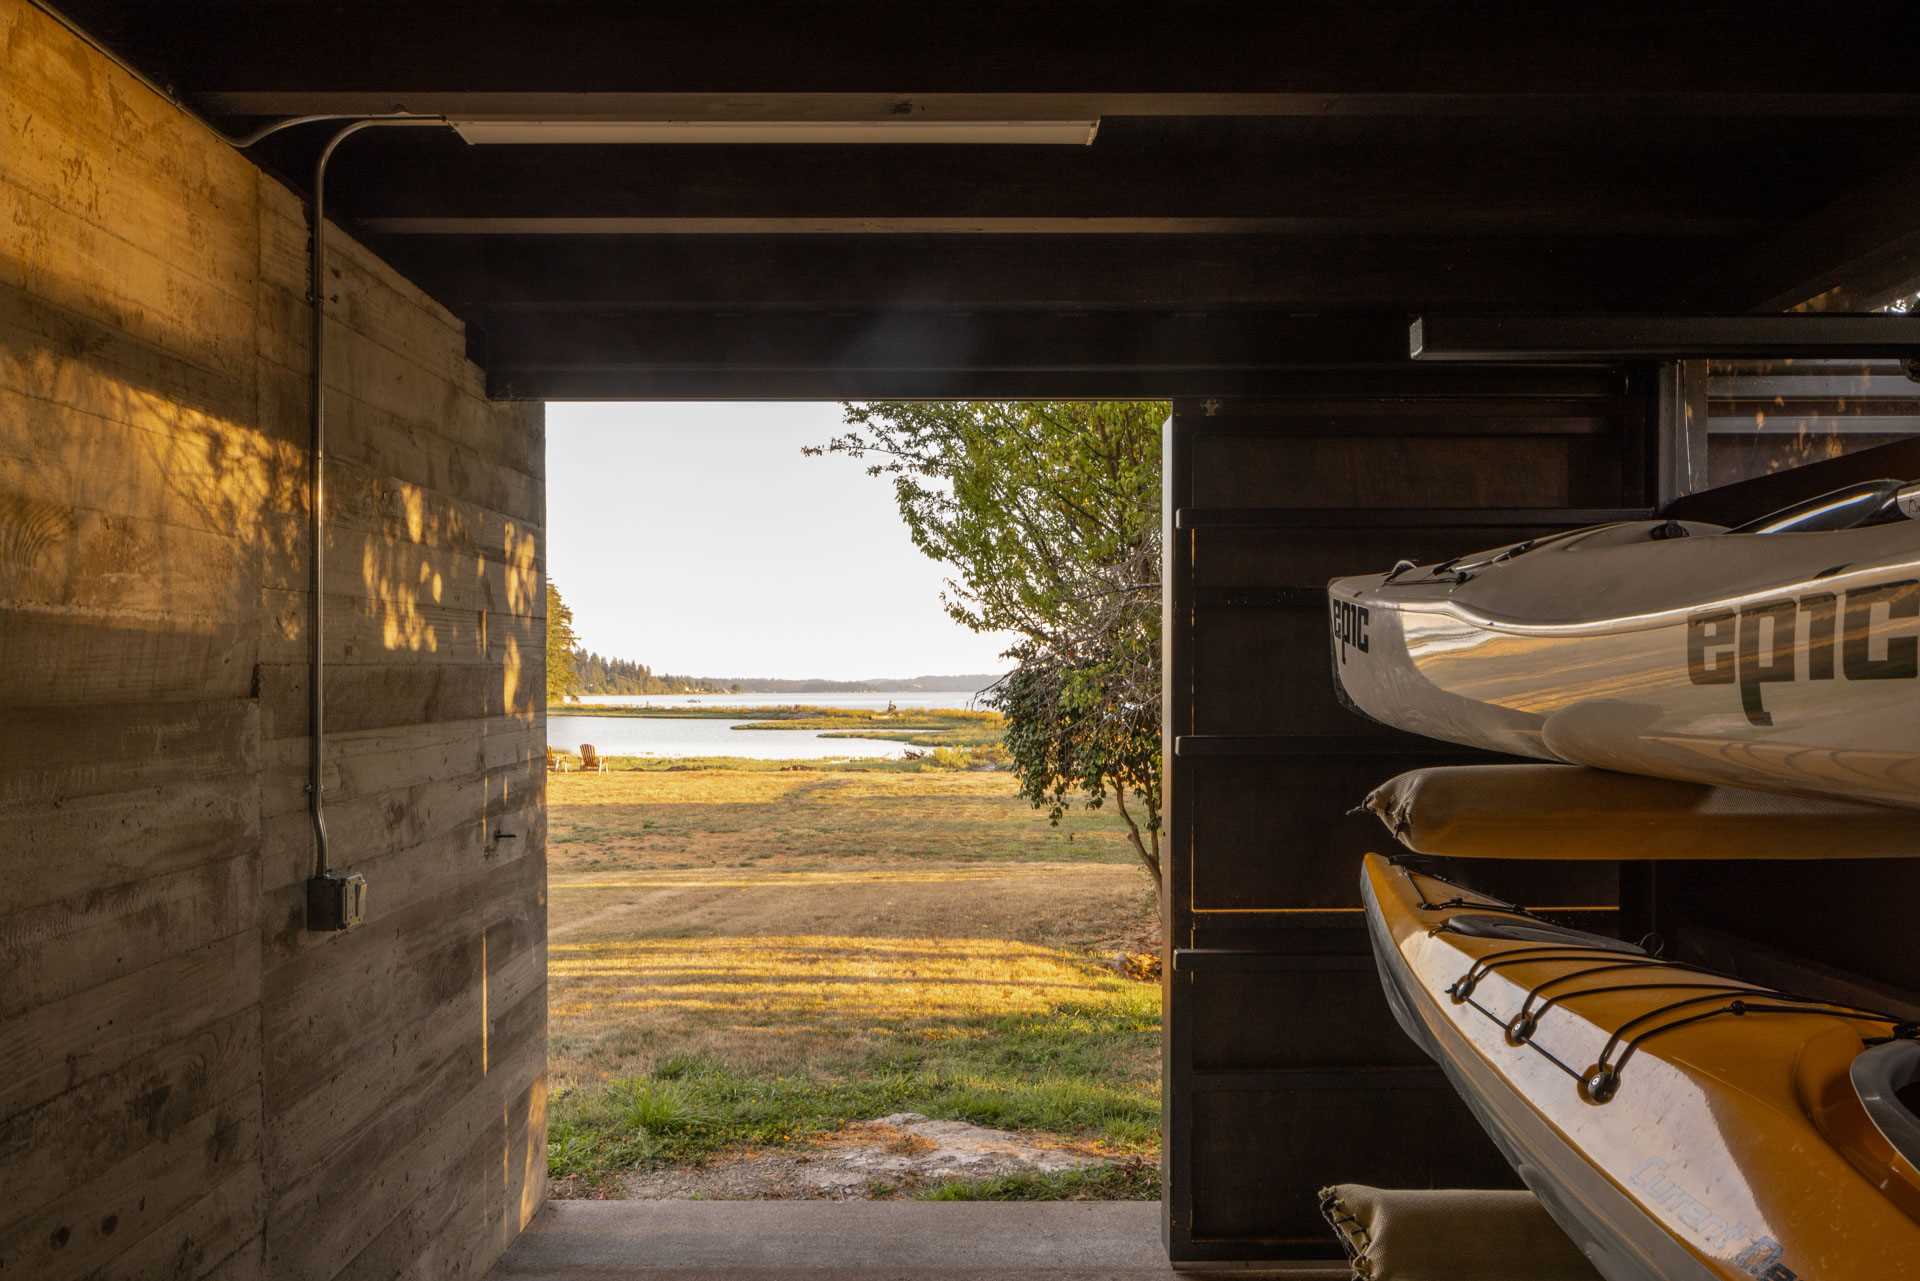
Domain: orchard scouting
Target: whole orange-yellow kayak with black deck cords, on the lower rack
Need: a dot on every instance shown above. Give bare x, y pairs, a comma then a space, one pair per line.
1679, 1124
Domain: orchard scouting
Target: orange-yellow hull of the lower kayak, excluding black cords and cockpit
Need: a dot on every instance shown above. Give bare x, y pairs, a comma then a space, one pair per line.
1702, 1165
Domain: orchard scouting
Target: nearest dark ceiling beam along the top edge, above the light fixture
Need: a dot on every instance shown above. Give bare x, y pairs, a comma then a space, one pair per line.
1216, 47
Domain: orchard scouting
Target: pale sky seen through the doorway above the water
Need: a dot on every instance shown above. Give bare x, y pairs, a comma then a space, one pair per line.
698, 541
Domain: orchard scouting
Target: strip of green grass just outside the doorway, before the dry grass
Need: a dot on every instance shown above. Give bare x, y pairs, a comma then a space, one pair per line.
1086, 1071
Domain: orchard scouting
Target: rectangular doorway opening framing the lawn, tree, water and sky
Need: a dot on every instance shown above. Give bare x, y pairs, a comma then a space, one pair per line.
853, 802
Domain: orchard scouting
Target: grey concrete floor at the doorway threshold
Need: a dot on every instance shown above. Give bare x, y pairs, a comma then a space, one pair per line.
846, 1240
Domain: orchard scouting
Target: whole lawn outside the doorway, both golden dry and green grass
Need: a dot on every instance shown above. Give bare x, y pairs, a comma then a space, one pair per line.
754, 957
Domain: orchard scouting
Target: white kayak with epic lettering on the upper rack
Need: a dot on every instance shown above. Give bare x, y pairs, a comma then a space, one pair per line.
1779, 656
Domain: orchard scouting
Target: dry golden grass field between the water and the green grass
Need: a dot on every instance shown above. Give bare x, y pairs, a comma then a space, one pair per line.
782, 917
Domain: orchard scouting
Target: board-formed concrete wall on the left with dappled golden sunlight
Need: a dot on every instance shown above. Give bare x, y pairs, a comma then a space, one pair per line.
193, 1086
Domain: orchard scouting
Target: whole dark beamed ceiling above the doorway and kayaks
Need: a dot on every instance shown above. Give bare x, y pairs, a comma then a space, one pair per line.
1272, 185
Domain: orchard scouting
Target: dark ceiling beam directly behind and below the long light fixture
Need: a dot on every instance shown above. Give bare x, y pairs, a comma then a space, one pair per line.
1143, 178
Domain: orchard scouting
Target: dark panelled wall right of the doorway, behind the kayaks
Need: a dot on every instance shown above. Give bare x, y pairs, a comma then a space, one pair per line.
1285, 1069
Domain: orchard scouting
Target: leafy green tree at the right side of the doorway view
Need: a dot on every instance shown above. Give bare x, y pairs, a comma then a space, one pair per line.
1049, 518
